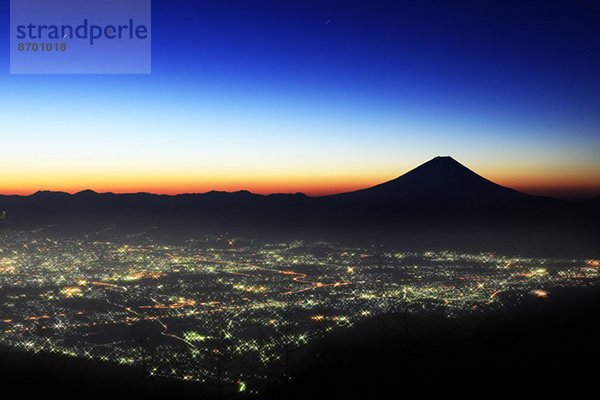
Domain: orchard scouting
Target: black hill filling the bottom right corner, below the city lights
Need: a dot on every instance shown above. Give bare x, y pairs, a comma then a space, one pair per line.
541, 348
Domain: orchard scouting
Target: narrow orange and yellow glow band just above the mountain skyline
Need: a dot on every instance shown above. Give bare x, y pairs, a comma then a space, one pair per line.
550, 181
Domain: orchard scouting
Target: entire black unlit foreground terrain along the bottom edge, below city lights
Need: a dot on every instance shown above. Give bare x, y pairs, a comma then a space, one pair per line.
544, 347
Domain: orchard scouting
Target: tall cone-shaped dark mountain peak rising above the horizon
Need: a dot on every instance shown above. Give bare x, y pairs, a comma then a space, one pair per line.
440, 182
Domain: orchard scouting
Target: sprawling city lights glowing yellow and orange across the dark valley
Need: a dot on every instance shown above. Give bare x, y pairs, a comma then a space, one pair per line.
232, 310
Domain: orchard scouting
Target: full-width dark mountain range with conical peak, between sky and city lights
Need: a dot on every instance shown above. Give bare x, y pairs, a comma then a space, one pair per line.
439, 201
